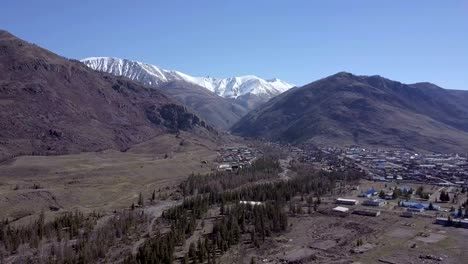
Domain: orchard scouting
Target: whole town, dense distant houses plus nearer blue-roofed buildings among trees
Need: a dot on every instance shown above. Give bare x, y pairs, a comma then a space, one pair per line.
410, 183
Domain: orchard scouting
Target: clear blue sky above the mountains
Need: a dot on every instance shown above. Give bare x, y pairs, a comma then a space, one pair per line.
297, 41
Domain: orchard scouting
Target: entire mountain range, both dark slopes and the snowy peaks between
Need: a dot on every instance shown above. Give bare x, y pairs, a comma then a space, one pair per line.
52, 105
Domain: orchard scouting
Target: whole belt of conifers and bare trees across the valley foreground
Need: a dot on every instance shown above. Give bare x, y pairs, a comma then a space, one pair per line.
76, 238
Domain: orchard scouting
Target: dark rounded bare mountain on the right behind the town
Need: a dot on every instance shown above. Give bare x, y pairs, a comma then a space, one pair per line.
346, 109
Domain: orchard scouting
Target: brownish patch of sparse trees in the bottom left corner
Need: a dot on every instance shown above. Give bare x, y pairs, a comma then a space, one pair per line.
70, 237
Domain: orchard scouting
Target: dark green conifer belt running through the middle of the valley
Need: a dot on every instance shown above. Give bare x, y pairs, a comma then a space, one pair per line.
259, 221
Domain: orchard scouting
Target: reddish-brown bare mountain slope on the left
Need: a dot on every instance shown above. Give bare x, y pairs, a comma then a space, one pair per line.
51, 105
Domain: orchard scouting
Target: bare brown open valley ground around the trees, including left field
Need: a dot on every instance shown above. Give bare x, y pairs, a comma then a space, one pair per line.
111, 180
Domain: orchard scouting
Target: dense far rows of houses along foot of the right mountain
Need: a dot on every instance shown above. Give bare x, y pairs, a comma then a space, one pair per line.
393, 165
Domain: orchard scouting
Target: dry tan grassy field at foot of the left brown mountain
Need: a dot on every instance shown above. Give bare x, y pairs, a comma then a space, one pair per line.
99, 181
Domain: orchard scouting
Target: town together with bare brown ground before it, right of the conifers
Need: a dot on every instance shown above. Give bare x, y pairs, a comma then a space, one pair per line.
401, 212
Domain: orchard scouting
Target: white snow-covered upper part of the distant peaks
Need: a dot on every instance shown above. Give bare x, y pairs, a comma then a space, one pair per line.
151, 75
